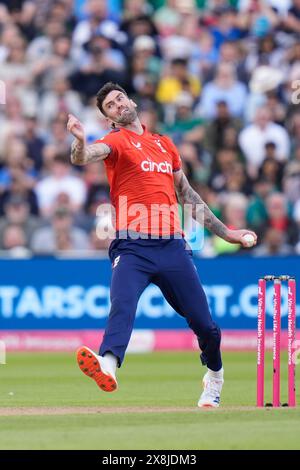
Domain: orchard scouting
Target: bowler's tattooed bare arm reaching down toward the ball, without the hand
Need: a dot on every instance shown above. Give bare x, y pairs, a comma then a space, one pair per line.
187, 195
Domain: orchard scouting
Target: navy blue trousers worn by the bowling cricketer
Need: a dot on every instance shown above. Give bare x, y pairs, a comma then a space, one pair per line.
169, 265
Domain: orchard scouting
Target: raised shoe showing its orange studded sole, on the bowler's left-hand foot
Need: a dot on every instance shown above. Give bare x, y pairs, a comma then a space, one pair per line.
94, 366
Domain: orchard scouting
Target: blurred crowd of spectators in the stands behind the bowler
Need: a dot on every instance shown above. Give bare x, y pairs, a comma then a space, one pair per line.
221, 78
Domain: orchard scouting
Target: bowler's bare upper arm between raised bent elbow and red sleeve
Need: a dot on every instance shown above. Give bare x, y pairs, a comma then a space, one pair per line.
82, 154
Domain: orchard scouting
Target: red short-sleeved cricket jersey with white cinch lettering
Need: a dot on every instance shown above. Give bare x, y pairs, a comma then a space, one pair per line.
140, 173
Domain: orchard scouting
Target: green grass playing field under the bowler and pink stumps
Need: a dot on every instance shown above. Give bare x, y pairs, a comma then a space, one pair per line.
47, 403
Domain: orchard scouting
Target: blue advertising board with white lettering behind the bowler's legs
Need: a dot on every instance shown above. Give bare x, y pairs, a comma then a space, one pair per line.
46, 293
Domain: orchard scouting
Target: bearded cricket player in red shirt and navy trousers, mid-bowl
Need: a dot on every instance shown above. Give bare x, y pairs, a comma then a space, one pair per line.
144, 169
